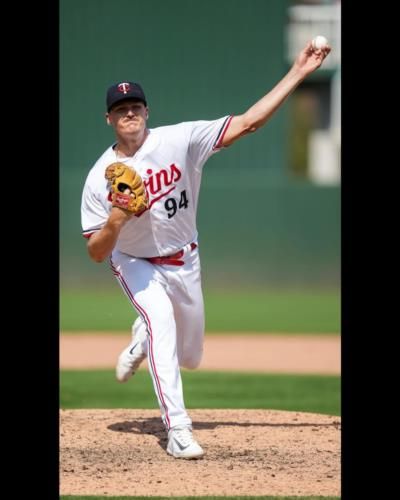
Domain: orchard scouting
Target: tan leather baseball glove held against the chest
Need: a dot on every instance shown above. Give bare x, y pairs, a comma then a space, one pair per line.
128, 191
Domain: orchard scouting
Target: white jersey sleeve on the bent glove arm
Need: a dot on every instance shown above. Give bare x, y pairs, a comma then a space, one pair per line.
94, 211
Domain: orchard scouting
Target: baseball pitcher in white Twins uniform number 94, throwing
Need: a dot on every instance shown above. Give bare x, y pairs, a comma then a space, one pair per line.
138, 209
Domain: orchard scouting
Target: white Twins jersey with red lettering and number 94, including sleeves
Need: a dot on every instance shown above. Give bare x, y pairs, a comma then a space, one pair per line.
170, 163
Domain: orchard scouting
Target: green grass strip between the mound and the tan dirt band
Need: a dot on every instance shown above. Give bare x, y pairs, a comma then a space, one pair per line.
308, 393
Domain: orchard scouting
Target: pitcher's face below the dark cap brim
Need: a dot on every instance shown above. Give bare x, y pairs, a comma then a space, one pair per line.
128, 117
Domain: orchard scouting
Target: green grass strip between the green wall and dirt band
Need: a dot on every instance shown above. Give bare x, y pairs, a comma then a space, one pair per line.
226, 311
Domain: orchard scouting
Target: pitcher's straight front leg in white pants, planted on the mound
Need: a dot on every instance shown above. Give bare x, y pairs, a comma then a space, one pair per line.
145, 288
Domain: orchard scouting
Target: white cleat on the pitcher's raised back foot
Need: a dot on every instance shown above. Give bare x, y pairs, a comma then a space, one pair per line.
131, 357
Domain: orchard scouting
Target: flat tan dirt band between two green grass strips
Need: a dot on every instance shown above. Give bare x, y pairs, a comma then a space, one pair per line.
243, 353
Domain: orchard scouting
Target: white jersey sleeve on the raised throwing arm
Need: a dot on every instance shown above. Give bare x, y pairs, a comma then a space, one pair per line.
206, 138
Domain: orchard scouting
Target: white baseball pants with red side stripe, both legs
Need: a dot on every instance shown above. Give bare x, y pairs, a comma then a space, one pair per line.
169, 300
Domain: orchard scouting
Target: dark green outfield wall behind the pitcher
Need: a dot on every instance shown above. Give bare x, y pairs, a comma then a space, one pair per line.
196, 60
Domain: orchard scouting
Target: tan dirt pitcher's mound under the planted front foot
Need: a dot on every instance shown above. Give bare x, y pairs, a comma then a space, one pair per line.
247, 452
